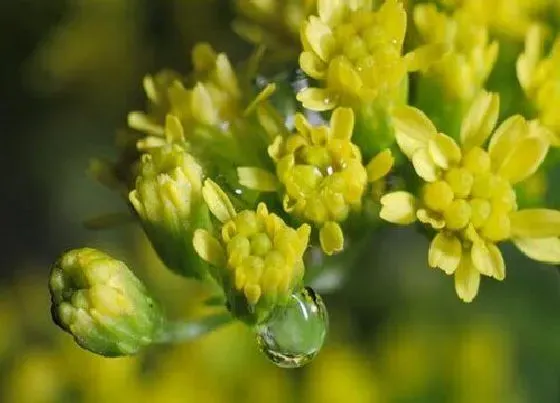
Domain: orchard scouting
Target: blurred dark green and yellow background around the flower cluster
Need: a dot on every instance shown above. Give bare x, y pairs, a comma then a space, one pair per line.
70, 72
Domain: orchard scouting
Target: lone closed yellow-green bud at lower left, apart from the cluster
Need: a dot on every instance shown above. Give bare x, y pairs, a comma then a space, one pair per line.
99, 301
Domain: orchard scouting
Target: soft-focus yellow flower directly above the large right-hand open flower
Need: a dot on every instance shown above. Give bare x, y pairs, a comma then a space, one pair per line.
463, 70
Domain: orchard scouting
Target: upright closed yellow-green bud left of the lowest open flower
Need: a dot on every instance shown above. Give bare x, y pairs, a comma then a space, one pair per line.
168, 200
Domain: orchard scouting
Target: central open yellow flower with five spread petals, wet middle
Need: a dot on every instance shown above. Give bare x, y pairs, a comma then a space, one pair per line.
321, 174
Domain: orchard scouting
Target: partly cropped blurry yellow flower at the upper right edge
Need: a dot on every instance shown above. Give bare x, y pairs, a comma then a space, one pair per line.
539, 77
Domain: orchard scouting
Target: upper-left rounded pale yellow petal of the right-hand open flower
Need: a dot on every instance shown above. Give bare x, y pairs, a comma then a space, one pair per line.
413, 129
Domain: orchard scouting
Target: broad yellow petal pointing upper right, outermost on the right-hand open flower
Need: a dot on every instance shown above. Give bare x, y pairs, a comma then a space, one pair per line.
524, 159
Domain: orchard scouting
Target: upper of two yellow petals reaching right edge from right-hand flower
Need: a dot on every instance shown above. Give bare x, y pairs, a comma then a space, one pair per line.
535, 223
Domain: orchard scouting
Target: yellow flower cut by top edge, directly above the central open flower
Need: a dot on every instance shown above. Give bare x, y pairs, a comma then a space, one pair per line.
356, 53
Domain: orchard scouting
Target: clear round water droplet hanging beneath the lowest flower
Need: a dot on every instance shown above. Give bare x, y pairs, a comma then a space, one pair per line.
294, 334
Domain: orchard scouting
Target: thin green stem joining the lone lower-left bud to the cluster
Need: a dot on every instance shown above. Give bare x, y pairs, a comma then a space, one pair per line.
180, 332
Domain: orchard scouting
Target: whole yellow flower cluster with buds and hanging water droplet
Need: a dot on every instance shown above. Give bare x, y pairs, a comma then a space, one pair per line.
235, 176
